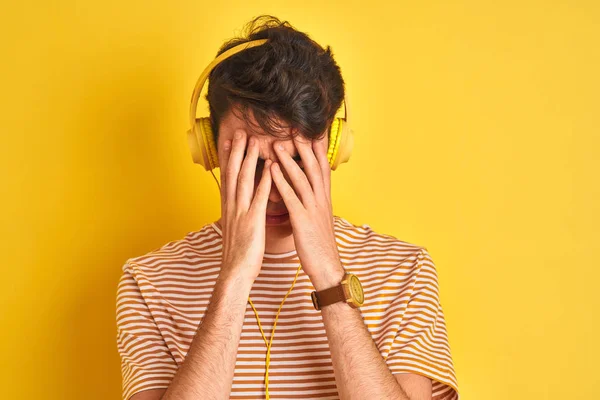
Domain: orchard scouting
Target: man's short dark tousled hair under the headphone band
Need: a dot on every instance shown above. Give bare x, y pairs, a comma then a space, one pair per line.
290, 78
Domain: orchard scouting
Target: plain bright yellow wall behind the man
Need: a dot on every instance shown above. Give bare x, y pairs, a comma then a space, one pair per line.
477, 136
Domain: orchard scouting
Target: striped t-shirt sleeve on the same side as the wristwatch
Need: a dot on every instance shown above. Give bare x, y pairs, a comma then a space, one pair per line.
421, 344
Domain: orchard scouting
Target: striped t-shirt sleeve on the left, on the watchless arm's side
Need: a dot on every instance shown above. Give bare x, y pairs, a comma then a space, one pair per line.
146, 362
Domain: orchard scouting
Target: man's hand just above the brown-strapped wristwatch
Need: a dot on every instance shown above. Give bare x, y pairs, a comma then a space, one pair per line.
312, 215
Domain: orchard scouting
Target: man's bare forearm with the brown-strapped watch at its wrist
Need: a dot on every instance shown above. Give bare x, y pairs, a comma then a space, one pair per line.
360, 371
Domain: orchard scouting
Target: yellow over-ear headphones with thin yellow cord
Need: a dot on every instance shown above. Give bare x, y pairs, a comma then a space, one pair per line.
204, 152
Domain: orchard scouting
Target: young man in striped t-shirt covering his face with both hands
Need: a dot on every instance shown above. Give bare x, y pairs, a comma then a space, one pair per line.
195, 317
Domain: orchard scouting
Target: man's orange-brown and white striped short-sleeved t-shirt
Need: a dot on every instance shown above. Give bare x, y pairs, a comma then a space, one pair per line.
162, 297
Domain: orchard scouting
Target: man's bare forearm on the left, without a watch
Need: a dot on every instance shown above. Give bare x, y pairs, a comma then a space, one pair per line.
207, 371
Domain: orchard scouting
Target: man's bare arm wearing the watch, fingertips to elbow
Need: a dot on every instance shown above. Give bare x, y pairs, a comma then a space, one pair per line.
359, 368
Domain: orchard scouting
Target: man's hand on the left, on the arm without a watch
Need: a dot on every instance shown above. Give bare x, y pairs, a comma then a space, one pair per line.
242, 216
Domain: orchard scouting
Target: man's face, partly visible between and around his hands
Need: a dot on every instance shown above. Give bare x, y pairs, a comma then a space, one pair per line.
277, 219
